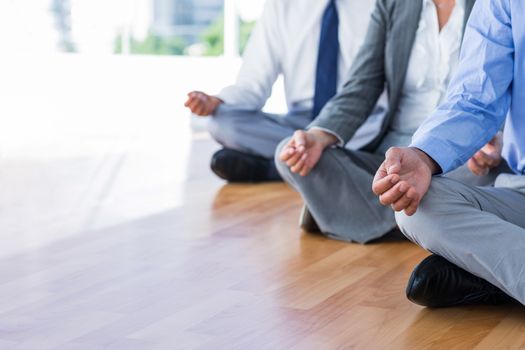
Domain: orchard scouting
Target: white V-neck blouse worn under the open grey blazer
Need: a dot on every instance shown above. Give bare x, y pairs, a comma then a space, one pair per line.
434, 58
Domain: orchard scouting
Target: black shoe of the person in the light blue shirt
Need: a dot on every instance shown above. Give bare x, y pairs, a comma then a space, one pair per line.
436, 282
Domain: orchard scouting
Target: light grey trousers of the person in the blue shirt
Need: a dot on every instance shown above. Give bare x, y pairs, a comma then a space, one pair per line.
481, 229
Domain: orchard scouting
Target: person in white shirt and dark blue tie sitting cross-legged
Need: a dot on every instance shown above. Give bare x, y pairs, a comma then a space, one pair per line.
312, 43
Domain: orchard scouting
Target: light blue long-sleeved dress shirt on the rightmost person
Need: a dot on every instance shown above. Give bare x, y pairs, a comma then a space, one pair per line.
489, 86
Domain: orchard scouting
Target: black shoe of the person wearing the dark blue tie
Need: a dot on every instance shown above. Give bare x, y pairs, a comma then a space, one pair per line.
235, 166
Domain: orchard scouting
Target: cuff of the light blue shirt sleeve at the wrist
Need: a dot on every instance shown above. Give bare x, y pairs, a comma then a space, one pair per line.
440, 151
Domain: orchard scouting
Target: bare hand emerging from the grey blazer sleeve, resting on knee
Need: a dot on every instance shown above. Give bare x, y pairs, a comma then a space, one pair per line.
304, 150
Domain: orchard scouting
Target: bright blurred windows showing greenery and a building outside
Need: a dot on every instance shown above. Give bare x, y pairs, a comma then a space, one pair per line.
150, 27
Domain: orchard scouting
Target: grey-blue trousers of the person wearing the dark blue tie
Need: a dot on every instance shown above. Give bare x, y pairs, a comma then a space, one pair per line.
259, 133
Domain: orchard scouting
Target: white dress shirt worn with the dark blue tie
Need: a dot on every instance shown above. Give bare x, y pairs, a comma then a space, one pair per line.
285, 41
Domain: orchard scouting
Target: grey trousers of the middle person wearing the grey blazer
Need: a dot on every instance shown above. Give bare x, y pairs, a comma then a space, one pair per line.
338, 193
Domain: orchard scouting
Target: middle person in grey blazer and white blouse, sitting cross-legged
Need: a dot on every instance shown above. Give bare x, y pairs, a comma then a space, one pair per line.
413, 47
